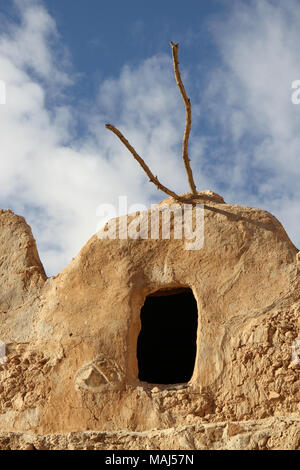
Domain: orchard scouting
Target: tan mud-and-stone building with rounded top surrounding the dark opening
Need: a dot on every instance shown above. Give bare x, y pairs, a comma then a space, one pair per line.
71, 340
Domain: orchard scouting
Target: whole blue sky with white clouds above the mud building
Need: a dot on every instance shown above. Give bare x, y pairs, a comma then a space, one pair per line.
71, 66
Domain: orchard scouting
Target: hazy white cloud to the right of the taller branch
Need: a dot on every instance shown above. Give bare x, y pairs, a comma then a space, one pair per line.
249, 96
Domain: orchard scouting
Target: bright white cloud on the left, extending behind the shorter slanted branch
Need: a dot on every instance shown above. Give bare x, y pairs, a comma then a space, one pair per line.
57, 182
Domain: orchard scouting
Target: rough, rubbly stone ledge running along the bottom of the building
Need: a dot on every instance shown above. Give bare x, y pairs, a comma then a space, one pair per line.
266, 434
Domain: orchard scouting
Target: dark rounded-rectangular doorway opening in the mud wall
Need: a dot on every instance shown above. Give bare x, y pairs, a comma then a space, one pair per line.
166, 347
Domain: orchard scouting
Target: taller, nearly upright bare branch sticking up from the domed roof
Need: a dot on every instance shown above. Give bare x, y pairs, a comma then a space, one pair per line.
188, 122
